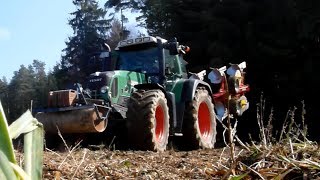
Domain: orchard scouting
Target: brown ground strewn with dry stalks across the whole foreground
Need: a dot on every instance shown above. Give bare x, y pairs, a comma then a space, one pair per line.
283, 160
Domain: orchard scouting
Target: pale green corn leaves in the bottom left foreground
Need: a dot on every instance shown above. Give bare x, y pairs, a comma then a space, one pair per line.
33, 147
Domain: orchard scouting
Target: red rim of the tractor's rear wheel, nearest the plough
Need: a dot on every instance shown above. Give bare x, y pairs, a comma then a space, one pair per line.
204, 121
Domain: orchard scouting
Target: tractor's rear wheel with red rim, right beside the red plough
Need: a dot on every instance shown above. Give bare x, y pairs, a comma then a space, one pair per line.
199, 124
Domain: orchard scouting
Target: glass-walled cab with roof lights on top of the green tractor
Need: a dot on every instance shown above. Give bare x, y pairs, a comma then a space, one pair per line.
160, 60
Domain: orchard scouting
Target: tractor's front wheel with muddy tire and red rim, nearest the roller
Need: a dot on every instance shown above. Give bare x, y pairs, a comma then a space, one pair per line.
148, 120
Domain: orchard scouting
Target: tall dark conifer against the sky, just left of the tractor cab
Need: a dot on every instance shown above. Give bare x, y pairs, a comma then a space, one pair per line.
89, 32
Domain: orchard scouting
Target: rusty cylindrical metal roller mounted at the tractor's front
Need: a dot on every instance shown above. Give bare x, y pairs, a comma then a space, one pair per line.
73, 121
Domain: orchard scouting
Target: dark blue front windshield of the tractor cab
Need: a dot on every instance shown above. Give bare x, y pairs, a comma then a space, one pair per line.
144, 61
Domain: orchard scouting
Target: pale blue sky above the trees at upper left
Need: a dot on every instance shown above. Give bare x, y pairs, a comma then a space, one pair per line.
34, 29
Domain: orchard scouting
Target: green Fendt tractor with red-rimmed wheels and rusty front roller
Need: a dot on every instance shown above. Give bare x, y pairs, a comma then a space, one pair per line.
149, 88
